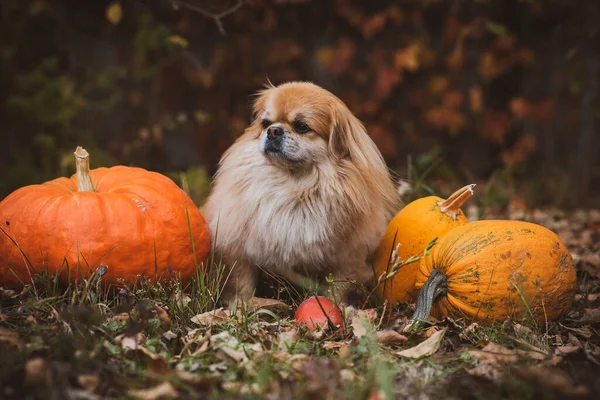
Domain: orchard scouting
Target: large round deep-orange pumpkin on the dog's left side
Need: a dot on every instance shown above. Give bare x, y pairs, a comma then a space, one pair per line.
134, 221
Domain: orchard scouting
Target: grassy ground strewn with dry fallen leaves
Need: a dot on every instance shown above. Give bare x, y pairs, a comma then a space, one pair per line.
151, 342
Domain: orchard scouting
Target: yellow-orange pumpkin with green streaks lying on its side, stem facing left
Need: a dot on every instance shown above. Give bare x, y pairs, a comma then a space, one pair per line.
492, 270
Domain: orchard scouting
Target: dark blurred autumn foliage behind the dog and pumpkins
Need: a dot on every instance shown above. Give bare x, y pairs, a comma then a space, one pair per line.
469, 89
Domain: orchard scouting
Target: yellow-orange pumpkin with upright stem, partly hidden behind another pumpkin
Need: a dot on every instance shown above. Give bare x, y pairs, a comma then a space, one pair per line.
407, 235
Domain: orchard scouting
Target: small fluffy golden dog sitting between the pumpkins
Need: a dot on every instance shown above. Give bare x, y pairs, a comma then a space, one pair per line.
303, 191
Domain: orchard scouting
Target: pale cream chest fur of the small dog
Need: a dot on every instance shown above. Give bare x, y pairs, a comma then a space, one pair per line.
285, 222
